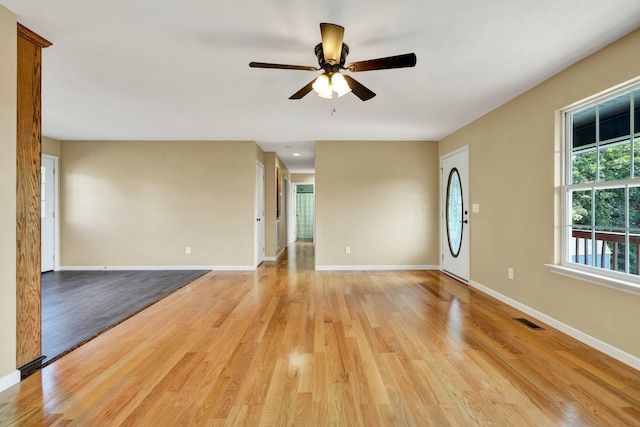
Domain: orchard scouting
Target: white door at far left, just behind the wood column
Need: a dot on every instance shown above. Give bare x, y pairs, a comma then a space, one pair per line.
47, 213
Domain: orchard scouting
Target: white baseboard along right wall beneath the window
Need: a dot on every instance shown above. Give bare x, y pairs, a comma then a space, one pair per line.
602, 346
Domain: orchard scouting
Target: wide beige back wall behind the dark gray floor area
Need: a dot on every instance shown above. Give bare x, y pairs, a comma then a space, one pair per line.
141, 203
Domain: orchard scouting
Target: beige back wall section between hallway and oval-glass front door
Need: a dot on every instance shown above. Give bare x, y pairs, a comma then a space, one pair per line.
379, 198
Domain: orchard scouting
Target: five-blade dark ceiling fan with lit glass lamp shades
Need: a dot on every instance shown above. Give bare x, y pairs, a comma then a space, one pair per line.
332, 54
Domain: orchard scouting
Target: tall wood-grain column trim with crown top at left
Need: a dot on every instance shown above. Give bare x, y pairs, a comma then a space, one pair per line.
28, 154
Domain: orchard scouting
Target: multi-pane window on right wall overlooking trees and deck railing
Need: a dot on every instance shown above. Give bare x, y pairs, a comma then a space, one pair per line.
602, 186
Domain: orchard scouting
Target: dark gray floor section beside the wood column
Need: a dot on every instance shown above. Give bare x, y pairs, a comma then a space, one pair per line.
78, 305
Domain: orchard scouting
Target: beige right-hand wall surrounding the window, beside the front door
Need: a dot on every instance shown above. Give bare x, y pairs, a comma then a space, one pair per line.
513, 175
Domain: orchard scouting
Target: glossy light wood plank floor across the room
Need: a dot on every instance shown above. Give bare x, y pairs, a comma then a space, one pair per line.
286, 345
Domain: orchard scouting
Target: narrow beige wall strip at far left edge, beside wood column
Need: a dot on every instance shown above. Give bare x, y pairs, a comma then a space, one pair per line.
8, 79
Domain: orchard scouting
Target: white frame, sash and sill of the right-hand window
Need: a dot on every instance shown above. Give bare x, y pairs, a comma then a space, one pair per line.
609, 278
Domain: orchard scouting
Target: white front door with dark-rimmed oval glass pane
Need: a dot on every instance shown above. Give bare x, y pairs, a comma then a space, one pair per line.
455, 214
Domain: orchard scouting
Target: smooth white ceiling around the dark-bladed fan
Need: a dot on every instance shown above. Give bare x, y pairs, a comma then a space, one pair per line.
169, 70
